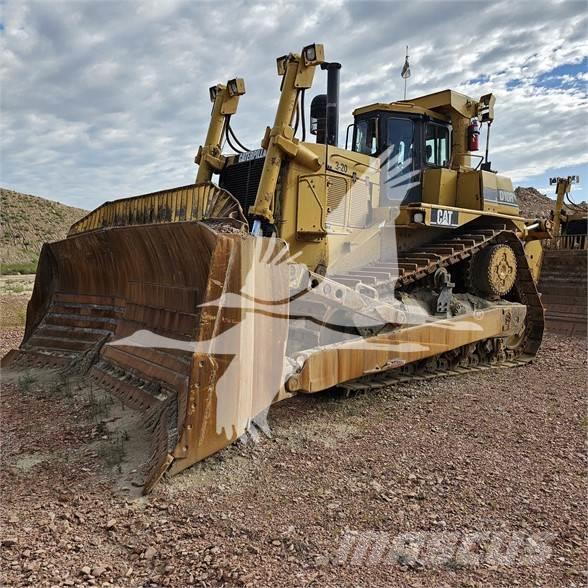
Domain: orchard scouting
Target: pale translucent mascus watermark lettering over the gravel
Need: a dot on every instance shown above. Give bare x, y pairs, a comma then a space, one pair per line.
446, 548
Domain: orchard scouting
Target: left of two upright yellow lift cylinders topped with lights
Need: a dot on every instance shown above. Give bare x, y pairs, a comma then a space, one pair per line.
209, 157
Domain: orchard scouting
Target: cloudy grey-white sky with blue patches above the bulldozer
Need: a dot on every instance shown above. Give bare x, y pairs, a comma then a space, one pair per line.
106, 99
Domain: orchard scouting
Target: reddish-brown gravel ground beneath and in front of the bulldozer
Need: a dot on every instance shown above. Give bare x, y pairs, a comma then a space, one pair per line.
483, 460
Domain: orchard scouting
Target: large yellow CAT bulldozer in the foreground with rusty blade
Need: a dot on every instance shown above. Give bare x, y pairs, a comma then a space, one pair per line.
304, 266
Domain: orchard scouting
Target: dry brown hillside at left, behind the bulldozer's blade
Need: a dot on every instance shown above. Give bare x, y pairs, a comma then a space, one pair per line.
26, 222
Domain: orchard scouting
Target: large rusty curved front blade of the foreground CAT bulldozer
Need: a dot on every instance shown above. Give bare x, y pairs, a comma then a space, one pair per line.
142, 311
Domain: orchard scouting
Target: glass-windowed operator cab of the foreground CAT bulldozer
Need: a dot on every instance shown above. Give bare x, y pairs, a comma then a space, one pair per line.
408, 140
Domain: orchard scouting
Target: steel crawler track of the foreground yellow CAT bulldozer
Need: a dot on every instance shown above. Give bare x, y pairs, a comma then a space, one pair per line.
414, 268
